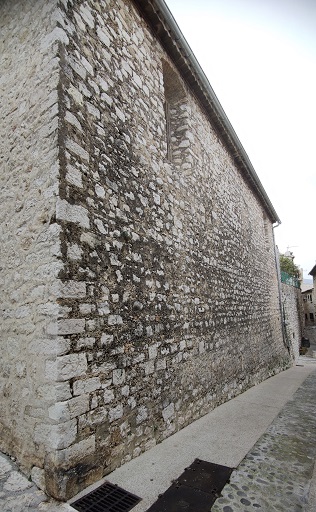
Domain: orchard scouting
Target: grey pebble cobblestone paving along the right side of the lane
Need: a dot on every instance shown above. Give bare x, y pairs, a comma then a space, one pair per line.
277, 474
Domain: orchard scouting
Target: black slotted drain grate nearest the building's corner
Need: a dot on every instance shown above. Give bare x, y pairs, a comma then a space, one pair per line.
107, 498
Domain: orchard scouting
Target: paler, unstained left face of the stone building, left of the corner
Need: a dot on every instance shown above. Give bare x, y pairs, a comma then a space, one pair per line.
30, 247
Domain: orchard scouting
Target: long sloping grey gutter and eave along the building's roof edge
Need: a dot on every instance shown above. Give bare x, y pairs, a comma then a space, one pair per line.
167, 31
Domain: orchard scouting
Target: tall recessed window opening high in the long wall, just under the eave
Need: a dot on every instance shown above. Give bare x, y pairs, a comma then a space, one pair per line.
175, 113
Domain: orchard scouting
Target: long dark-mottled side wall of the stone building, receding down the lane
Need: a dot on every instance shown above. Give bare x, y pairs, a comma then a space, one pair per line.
178, 257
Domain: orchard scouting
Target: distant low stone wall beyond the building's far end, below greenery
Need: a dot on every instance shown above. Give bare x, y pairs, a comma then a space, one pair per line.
293, 312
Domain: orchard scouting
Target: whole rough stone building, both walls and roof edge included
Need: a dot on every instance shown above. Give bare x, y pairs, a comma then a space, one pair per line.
138, 279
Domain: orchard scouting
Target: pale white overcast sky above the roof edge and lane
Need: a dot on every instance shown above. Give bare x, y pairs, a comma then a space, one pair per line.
260, 58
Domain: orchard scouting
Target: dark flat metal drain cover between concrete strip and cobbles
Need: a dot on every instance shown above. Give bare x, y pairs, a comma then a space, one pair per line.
195, 490
